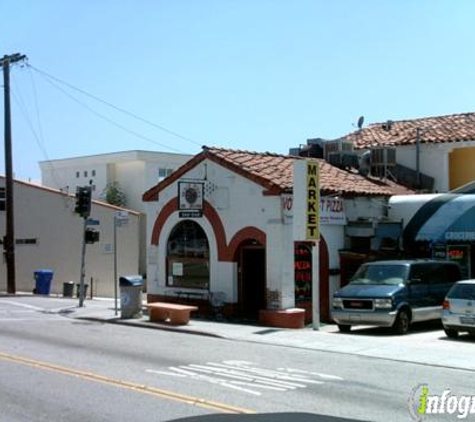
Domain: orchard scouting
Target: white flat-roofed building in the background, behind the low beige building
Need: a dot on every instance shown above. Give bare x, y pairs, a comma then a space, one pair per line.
133, 171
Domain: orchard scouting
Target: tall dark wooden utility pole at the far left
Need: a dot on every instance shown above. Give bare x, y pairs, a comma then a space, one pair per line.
9, 239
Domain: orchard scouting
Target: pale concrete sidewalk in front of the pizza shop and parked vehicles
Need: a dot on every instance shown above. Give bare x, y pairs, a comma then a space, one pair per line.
422, 346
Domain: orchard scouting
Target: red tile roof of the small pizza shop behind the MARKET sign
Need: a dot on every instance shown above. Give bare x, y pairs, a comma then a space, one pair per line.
276, 173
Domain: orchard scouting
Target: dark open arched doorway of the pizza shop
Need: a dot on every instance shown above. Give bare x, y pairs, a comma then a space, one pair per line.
251, 259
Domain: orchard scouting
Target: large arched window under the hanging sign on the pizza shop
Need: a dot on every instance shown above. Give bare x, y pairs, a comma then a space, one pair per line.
188, 256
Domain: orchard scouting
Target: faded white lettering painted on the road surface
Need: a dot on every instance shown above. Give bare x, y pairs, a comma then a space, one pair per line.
247, 377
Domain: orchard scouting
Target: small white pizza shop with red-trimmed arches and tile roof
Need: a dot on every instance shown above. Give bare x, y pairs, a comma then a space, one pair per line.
224, 222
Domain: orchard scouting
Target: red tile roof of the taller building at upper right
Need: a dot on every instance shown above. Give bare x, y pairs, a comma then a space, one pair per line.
439, 129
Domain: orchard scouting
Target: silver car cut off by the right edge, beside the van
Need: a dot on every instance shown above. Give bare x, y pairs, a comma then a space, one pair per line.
459, 309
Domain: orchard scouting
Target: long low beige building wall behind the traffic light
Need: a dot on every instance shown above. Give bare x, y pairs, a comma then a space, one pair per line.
48, 235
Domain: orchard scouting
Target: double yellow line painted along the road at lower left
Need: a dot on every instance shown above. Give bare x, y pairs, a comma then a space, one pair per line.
157, 392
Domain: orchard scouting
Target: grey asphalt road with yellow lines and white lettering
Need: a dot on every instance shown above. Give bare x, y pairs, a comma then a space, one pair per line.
55, 368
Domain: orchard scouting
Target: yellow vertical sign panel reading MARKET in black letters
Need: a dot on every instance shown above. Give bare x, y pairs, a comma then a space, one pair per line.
313, 202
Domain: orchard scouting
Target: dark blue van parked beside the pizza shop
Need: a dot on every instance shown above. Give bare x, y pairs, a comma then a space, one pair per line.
394, 293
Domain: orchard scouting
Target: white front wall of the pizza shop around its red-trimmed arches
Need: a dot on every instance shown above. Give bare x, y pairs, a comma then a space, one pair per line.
235, 198
